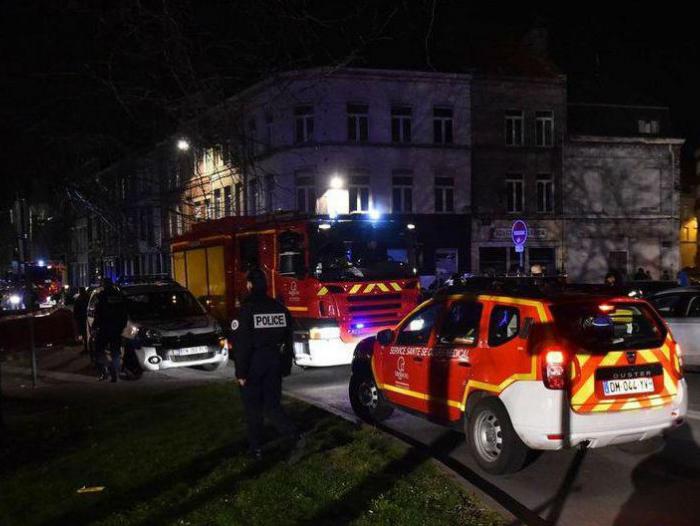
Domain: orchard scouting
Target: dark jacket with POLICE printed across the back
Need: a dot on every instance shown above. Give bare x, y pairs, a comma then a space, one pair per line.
263, 337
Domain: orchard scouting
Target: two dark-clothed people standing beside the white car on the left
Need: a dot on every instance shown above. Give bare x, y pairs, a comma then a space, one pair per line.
109, 320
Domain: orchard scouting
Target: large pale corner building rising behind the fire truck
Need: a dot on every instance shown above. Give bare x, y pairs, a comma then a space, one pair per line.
350, 141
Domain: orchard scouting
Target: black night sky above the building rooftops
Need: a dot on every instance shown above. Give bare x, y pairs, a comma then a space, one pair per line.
84, 85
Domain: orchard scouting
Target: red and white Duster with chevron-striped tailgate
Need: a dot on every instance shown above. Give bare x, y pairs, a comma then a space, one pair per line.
521, 371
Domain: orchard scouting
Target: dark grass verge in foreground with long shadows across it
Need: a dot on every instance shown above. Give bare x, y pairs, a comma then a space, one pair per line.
179, 457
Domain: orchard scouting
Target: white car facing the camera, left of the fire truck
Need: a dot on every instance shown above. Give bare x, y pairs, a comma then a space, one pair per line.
167, 327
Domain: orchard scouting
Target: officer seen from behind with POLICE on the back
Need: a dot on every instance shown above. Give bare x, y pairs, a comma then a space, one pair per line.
262, 350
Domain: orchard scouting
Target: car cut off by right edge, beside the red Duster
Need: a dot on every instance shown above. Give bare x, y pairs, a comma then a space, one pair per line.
680, 307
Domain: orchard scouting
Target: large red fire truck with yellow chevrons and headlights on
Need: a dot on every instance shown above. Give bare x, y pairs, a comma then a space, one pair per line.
342, 279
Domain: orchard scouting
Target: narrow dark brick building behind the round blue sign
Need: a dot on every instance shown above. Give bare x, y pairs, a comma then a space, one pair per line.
519, 129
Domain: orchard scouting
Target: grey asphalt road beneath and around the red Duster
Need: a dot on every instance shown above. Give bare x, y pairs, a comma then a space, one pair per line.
616, 485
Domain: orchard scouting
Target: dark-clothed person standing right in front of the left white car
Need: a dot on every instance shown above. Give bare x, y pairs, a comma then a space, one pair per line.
108, 324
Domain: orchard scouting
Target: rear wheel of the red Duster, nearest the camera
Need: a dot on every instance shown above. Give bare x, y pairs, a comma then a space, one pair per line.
493, 442
